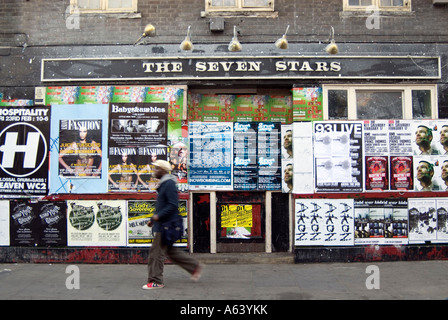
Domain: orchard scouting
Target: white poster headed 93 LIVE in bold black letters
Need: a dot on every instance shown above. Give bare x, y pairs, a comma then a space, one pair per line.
338, 156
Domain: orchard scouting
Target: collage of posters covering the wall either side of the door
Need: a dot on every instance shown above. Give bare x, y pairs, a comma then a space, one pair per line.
103, 140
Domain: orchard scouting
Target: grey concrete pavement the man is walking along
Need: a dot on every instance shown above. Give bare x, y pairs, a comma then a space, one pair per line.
231, 282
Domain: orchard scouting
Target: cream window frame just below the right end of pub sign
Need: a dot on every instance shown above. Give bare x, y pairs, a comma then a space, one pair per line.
406, 94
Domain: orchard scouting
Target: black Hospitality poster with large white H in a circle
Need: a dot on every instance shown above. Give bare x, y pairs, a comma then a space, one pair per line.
24, 147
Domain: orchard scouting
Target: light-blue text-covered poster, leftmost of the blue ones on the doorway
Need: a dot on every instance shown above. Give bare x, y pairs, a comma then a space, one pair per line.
211, 158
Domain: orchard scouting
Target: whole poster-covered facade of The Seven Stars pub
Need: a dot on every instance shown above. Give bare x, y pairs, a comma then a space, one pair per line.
326, 141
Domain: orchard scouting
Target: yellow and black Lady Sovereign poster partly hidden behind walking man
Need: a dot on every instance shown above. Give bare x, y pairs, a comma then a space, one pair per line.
140, 213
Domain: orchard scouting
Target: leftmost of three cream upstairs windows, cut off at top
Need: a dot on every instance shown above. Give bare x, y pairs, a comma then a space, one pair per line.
104, 6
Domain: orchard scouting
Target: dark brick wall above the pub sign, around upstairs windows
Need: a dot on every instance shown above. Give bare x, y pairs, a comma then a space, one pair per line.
40, 22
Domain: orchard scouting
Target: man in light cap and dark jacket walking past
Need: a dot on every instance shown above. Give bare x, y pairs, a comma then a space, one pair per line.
166, 210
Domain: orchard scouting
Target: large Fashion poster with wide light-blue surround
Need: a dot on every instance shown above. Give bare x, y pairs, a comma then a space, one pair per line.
79, 149
